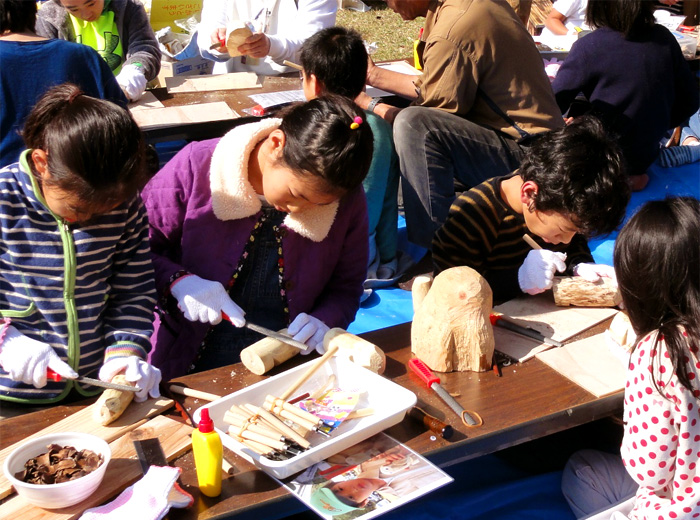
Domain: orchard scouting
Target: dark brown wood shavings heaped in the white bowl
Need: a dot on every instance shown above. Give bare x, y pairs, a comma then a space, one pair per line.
59, 464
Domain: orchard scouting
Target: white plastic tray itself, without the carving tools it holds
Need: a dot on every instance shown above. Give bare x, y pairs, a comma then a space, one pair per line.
389, 401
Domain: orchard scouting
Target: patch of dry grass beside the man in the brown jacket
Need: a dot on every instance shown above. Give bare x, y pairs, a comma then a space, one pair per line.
393, 36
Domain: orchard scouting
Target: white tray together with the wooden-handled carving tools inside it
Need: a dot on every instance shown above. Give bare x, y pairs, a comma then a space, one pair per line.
275, 424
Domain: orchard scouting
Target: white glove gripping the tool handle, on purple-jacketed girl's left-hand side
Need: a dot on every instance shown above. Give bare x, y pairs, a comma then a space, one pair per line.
204, 300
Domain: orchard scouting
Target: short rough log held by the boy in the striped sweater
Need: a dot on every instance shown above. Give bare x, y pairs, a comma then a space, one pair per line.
578, 292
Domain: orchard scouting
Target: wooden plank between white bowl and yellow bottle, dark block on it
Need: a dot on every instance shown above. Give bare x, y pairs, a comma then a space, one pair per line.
123, 470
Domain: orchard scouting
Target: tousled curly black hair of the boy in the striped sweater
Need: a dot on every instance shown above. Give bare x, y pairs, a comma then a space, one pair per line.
579, 171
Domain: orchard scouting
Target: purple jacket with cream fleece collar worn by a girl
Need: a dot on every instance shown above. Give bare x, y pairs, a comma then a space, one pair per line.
202, 209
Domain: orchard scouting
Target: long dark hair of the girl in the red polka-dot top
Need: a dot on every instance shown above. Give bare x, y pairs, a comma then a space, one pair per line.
657, 264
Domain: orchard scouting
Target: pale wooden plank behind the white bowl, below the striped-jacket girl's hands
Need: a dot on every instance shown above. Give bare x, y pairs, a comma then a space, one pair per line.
134, 416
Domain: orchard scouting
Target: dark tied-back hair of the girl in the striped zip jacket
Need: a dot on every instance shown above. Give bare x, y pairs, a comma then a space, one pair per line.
95, 149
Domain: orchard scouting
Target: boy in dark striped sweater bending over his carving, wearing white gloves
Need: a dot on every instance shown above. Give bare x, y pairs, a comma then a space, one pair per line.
570, 186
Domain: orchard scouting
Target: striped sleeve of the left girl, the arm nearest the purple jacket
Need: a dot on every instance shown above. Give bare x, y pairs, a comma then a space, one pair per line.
128, 317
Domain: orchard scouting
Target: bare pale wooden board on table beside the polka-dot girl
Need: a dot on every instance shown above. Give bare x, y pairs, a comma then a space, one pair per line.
590, 364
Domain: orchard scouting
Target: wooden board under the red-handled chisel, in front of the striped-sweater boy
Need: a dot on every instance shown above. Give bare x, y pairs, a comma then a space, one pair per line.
541, 314
